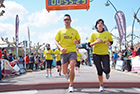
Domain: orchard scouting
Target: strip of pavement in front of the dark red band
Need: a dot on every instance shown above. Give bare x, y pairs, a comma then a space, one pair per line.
79, 91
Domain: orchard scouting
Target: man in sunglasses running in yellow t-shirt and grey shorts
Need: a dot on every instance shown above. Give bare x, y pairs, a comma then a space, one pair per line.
66, 40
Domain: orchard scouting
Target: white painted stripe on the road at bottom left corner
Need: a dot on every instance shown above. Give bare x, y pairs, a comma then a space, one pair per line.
21, 92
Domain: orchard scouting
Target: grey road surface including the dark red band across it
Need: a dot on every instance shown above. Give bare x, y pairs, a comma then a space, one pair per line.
86, 79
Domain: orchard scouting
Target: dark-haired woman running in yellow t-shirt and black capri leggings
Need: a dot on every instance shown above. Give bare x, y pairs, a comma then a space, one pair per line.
101, 39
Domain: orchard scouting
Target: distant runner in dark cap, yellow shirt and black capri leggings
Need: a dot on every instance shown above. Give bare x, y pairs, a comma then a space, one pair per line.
49, 59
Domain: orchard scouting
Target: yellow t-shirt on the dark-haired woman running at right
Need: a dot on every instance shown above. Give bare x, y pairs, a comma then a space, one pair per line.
100, 48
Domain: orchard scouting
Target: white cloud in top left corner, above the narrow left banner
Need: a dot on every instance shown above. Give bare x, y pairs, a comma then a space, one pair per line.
12, 9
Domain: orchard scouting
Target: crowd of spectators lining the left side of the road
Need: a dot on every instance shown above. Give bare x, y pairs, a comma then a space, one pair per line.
28, 62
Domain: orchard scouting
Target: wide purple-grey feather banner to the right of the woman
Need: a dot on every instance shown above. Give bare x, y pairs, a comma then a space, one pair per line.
121, 24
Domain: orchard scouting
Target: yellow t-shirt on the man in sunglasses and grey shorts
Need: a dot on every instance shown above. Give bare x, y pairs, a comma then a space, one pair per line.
66, 38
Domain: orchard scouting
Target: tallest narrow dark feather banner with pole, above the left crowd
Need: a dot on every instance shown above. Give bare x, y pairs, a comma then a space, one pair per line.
17, 34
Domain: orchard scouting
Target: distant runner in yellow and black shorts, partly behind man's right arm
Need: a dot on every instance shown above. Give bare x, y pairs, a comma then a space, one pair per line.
58, 60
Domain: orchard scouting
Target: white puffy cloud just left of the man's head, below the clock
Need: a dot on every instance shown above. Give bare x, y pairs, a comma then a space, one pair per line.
44, 18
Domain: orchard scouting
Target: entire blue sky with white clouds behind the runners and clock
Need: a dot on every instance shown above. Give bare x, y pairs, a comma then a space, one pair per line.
44, 25
